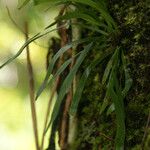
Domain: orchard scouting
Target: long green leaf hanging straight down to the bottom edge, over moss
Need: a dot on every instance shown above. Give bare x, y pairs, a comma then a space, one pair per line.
115, 93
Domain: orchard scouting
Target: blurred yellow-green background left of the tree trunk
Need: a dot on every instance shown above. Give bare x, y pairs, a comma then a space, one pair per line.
15, 115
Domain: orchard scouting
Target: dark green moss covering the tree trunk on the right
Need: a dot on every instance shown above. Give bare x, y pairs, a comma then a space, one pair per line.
97, 131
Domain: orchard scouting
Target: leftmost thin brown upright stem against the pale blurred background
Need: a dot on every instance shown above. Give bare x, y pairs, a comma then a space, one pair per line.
32, 91
